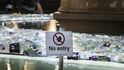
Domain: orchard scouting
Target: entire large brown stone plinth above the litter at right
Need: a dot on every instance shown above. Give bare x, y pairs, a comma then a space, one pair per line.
92, 16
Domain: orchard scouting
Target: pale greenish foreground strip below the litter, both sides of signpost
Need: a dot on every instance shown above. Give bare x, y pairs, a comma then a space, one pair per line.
35, 63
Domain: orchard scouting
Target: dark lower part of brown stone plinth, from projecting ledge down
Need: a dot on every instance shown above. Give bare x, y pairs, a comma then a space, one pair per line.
92, 23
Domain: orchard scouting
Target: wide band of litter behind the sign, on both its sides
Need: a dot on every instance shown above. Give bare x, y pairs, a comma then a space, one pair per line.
31, 42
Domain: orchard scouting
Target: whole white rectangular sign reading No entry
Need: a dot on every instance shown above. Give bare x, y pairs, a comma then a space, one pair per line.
59, 43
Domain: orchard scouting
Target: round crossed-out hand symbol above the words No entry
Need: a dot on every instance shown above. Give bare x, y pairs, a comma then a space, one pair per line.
58, 38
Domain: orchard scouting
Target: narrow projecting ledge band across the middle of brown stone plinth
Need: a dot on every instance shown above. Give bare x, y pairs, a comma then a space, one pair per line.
90, 16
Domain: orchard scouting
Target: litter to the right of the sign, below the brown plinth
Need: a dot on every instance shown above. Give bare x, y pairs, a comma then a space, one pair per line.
92, 44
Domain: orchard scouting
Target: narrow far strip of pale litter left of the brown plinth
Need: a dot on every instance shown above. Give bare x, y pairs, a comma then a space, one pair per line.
26, 18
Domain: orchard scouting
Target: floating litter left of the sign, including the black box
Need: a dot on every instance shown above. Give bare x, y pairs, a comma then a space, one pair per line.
22, 41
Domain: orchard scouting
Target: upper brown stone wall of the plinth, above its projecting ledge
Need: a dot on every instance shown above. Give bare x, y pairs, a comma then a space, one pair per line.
91, 5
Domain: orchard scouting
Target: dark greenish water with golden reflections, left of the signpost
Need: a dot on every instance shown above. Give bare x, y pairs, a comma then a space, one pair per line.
21, 64
